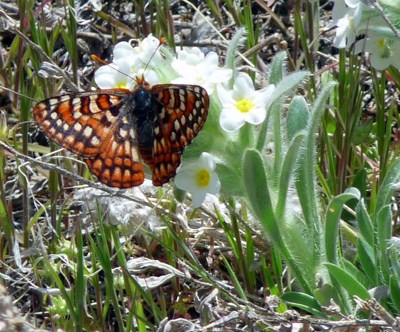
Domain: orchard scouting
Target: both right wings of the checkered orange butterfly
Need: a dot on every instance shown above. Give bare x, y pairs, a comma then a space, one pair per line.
184, 112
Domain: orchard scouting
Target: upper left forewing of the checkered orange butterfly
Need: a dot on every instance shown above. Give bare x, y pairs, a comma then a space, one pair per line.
79, 122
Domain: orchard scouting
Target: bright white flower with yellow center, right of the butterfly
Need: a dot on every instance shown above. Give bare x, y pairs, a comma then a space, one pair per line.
243, 103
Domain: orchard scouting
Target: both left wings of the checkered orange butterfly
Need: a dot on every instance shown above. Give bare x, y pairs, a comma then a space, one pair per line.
91, 125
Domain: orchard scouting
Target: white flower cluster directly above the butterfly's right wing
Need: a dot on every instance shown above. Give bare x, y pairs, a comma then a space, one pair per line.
194, 67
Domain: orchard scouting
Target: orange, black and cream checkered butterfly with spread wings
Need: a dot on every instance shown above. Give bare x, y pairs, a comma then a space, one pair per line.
116, 130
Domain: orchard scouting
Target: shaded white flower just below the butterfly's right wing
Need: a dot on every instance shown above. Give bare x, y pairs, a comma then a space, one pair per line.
198, 178
